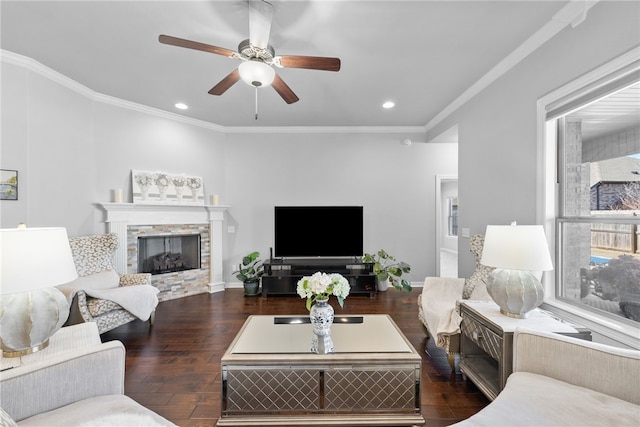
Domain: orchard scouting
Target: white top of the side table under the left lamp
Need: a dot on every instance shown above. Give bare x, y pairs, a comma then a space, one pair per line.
65, 339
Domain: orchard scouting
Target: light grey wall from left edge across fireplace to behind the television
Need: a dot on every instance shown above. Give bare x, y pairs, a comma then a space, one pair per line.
72, 147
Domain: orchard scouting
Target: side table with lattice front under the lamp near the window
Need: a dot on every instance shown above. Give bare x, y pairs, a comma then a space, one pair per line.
486, 342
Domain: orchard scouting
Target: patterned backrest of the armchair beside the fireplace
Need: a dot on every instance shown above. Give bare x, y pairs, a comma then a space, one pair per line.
93, 254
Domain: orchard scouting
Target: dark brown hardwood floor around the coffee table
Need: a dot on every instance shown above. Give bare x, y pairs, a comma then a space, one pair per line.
174, 367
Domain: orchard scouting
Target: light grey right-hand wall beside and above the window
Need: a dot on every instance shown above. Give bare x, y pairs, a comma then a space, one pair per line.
497, 128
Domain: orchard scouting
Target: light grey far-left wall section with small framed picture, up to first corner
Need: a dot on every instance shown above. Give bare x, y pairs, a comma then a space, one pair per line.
47, 129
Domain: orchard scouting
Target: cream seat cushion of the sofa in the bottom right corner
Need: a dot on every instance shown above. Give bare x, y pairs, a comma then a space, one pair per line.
535, 400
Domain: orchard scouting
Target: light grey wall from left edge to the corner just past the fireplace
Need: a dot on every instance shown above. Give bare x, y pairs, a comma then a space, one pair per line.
71, 150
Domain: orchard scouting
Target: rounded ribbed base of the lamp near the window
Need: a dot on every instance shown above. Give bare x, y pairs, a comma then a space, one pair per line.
515, 291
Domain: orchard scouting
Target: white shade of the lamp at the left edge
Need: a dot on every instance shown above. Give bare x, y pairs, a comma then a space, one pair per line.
34, 258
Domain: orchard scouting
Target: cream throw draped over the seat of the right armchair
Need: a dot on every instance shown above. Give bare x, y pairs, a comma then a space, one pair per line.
439, 307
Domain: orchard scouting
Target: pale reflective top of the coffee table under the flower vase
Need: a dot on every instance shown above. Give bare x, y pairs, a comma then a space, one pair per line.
375, 333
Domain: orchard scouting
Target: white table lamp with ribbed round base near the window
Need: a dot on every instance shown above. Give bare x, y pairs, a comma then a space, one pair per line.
517, 252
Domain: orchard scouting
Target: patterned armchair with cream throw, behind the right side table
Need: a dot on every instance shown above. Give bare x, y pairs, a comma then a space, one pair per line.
439, 302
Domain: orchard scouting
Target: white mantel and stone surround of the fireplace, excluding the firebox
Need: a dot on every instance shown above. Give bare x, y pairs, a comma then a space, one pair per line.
129, 220
